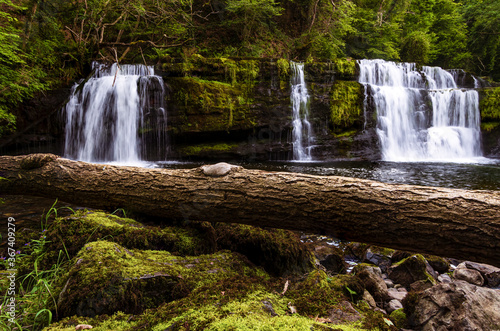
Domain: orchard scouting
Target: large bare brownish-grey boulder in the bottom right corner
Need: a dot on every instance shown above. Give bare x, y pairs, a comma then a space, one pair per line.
457, 306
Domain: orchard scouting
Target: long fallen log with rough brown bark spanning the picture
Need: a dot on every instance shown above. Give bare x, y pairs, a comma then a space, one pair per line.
447, 222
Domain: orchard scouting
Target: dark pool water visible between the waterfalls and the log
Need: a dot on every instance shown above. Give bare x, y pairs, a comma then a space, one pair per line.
472, 176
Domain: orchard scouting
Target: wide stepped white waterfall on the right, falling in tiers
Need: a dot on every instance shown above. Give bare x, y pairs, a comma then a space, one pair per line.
421, 114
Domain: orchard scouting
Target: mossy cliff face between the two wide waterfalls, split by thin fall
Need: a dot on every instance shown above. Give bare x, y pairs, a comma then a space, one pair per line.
241, 109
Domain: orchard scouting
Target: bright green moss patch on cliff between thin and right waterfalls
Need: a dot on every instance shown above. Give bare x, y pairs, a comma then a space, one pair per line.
346, 104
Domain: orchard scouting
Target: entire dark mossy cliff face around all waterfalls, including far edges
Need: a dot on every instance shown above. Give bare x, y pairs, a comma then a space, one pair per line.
239, 109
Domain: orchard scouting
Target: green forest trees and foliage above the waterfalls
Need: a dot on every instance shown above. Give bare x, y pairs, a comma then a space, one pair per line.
49, 43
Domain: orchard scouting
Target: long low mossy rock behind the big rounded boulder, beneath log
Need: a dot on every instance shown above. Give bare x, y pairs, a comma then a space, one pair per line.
66, 236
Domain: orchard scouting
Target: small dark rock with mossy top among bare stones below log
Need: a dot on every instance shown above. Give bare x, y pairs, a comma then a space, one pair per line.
412, 269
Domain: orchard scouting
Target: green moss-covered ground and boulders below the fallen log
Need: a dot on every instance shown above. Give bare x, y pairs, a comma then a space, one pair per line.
114, 282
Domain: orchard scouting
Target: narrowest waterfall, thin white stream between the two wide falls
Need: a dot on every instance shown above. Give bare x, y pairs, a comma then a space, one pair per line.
302, 138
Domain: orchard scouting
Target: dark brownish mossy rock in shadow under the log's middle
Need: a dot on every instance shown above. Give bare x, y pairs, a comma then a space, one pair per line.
279, 252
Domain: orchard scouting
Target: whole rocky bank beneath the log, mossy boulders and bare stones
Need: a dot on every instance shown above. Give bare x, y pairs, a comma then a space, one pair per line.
116, 273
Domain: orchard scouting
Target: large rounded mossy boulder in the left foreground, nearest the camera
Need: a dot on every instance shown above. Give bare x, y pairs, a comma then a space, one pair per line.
106, 277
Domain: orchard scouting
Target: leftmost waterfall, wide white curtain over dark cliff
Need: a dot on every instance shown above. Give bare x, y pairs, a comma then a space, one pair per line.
112, 115
